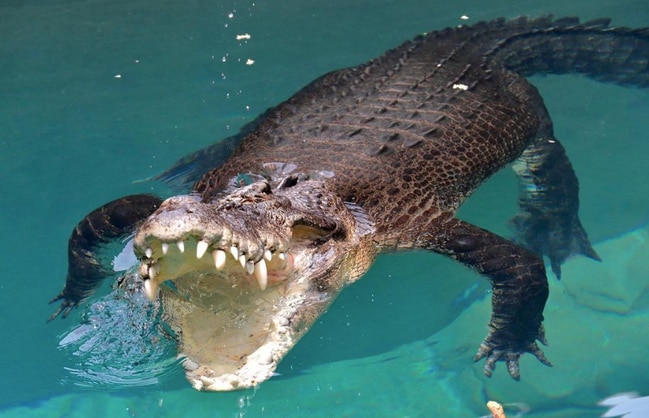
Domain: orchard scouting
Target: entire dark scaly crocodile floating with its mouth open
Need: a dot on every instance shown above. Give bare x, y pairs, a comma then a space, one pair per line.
275, 221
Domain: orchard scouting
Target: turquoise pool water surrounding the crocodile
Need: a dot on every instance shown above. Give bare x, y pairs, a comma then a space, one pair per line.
97, 94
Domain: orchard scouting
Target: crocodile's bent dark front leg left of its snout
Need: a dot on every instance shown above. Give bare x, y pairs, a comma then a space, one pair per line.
104, 224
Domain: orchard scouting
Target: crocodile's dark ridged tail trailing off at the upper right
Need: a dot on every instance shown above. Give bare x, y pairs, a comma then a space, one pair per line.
612, 54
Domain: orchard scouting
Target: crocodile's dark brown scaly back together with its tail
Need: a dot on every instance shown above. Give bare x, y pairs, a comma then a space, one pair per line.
412, 133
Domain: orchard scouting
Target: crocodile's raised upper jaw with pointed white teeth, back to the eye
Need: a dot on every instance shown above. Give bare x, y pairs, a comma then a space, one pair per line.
252, 226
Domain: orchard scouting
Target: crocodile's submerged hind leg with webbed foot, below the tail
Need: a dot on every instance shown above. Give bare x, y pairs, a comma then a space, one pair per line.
547, 222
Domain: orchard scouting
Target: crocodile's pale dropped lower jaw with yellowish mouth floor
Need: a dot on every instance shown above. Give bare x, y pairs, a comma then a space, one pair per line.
235, 338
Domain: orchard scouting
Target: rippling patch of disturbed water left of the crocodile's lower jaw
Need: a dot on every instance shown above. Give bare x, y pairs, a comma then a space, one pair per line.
121, 342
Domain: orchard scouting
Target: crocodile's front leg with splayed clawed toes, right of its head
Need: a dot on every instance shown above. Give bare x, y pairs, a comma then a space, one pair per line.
520, 290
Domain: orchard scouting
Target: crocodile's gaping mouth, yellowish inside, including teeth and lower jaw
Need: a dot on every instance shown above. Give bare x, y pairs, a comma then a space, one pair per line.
236, 307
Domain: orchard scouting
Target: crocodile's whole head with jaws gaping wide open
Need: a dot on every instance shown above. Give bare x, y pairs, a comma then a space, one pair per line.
242, 277
